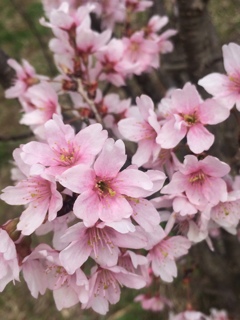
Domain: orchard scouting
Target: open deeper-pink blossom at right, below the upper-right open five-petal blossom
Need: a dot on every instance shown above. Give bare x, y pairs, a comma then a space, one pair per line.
200, 180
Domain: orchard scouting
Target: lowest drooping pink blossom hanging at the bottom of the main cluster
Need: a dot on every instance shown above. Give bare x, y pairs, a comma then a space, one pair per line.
105, 287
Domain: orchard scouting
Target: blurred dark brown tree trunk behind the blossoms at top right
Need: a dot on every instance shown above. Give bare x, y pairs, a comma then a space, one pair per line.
198, 37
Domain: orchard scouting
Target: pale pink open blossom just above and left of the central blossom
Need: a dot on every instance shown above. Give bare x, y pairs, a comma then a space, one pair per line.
63, 149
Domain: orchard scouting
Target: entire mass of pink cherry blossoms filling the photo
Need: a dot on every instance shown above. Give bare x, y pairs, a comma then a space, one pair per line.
118, 215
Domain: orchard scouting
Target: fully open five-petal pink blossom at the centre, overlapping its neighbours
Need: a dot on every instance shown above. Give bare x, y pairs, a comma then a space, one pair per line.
104, 190
